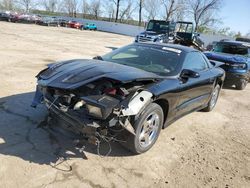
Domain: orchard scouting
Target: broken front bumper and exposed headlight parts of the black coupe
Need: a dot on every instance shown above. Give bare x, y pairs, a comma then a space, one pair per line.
86, 119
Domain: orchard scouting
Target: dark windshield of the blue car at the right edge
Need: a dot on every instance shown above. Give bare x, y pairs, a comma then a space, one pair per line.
235, 49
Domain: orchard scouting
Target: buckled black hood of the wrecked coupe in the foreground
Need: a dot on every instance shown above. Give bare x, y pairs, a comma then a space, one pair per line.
75, 73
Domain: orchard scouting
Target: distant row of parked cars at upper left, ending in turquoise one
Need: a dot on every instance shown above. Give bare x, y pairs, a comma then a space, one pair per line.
45, 21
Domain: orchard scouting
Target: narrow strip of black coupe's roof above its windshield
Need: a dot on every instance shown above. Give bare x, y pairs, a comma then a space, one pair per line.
175, 46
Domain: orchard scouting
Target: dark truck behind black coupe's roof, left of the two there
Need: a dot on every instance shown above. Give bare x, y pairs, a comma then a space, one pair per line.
156, 31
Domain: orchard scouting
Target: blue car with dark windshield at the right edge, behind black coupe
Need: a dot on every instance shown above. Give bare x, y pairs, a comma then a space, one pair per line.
236, 58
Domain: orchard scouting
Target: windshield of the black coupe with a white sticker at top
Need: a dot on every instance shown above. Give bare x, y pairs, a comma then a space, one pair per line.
162, 60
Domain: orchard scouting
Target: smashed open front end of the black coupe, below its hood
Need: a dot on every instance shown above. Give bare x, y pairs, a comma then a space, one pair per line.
104, 108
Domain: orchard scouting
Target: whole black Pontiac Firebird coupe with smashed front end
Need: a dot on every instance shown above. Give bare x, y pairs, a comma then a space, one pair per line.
131, 93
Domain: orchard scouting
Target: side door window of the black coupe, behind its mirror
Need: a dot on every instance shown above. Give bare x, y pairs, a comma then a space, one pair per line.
194, 61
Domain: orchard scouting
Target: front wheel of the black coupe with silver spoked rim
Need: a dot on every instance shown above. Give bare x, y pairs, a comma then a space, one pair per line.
133, 142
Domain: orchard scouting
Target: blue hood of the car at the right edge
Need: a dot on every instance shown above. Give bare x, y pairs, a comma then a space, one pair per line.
226, 58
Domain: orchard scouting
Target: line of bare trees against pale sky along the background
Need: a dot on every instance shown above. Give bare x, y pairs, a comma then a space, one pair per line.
202, 12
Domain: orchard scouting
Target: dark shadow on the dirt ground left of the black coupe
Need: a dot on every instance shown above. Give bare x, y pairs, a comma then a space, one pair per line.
24, 133
